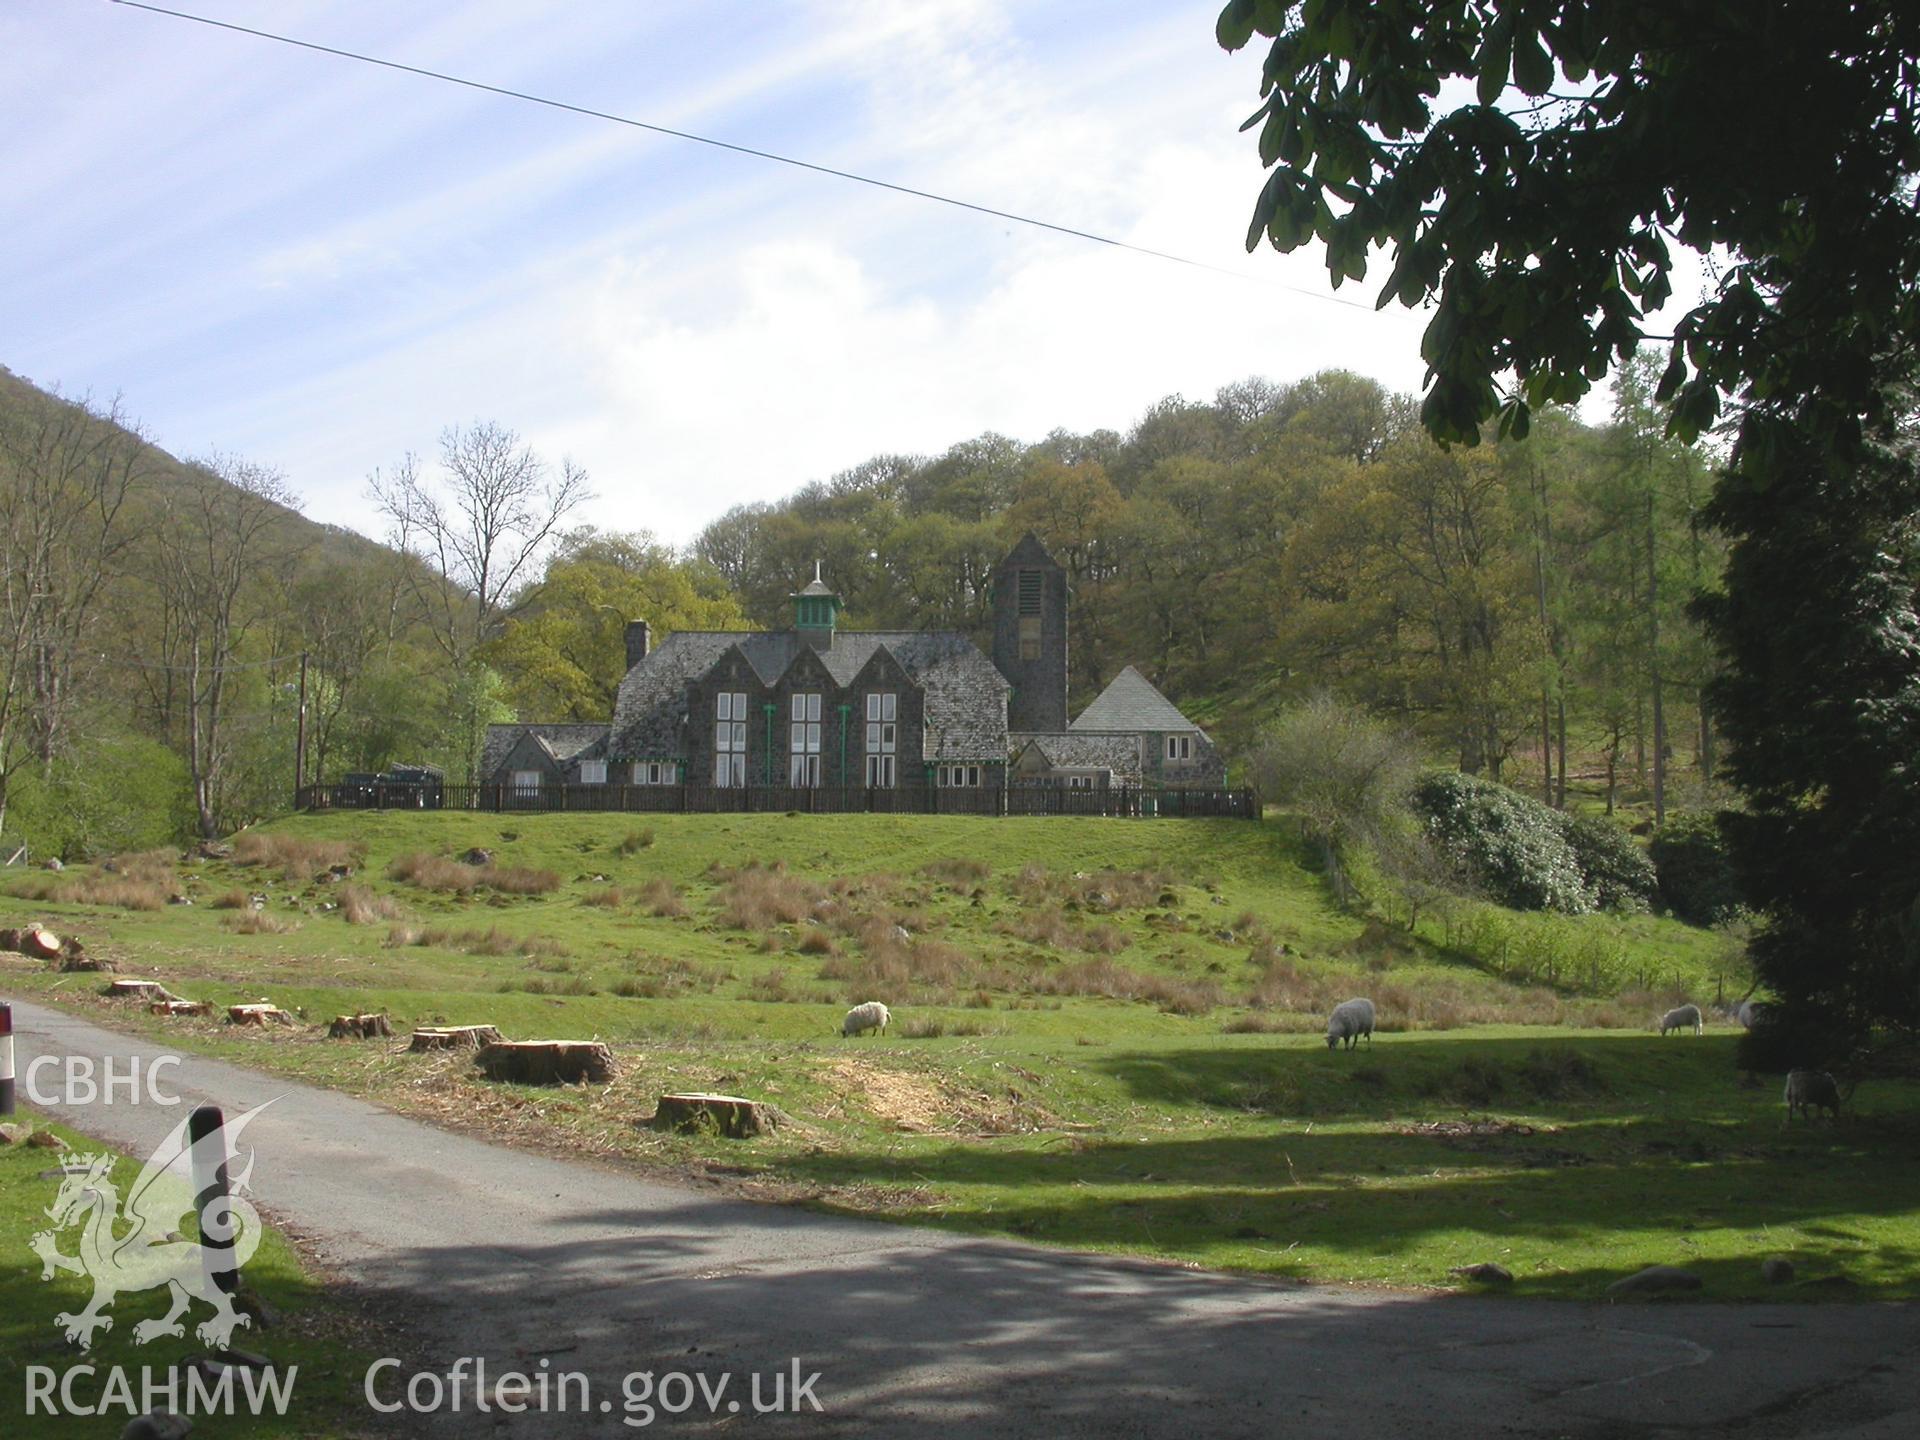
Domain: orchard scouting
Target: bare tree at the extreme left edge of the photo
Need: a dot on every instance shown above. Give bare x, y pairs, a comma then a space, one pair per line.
66, 475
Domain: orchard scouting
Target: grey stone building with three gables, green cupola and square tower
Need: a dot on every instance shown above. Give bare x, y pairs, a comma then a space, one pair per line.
817, 706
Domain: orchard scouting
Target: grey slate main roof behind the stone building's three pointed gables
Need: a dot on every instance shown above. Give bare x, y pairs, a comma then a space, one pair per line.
967, 696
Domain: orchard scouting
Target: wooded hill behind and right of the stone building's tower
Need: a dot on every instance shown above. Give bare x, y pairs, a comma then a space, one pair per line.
1520, 600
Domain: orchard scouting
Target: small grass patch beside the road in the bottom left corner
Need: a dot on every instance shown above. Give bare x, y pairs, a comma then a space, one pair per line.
312, 1330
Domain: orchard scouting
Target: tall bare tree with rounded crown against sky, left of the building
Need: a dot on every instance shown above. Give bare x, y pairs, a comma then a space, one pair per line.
479, 527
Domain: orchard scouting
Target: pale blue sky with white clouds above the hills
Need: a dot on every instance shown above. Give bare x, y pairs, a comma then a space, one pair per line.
320, 266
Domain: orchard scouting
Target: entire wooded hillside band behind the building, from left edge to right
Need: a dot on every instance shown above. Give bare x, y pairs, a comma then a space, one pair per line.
1514, 604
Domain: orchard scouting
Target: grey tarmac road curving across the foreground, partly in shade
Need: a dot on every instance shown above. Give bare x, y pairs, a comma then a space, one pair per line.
500, 1255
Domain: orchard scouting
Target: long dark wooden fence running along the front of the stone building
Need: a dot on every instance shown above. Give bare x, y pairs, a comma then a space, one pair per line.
780, 800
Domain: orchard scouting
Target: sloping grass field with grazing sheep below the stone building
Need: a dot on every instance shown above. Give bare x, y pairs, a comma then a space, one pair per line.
1107, 1034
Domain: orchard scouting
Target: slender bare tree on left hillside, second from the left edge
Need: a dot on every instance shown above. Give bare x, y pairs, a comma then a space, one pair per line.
216, 537
